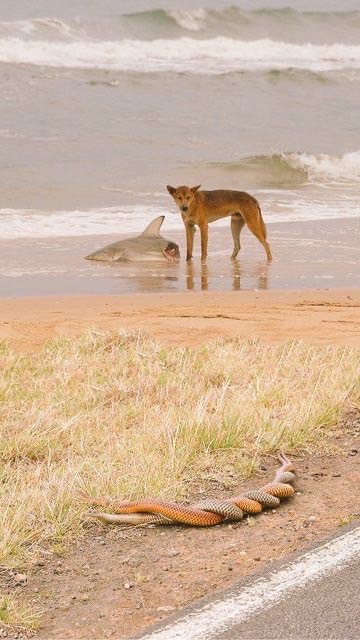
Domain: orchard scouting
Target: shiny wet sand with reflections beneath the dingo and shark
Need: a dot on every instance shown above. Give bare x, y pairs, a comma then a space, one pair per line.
307, 255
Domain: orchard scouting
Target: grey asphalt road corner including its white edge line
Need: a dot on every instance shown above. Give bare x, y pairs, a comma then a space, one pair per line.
313, 596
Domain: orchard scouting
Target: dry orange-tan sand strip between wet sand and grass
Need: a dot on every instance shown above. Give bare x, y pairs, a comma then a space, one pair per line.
188, 319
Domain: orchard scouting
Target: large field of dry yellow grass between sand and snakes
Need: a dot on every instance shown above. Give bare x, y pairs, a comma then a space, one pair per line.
118, 414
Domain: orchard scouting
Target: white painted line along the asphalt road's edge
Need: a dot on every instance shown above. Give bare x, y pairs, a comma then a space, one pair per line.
210, 619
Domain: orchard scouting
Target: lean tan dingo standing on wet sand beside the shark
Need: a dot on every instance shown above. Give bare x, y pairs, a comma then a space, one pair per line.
202, 207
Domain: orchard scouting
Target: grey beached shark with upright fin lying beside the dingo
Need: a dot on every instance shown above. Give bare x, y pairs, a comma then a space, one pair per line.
149, 246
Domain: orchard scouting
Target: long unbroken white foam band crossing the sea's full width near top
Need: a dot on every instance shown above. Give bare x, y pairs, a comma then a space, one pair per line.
217, 55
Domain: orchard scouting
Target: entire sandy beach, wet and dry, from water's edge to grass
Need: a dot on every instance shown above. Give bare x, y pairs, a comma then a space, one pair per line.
310, 291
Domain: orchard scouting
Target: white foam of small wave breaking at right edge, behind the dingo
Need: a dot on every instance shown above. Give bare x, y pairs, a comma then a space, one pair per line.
326, 167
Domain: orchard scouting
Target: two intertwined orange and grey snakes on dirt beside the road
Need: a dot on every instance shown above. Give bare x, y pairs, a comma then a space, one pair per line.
203, 514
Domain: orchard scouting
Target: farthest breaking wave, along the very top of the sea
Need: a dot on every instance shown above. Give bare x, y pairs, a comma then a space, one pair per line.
229, 21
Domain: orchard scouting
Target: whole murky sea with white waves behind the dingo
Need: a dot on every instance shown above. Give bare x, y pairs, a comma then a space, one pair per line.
104, 103
